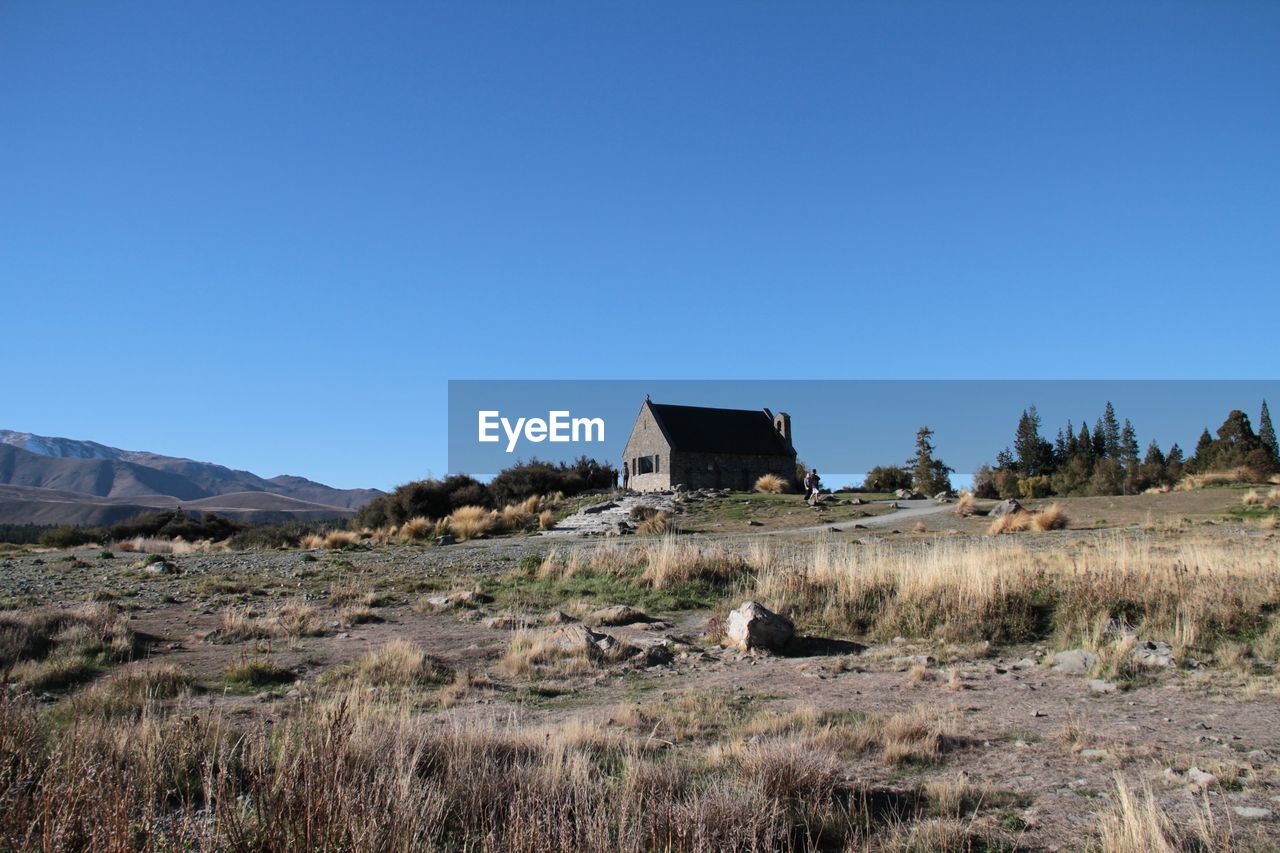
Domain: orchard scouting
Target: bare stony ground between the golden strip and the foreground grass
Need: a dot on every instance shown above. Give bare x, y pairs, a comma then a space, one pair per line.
1026, 724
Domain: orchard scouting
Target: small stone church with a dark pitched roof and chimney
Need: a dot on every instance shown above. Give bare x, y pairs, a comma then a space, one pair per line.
702, 448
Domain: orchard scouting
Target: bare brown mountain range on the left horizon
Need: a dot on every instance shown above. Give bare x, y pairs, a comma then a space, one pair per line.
63, 481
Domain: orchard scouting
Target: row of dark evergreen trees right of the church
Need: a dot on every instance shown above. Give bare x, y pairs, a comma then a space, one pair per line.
1108, 459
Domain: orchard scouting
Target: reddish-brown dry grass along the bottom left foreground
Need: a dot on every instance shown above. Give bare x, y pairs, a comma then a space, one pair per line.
353, 772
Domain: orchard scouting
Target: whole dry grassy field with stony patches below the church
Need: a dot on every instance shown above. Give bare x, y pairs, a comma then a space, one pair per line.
497, 695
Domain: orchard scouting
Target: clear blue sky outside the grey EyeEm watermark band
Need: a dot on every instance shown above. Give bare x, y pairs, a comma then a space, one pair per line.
267, 235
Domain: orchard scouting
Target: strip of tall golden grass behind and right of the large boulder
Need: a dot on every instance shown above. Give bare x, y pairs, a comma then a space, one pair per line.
1178, 590
